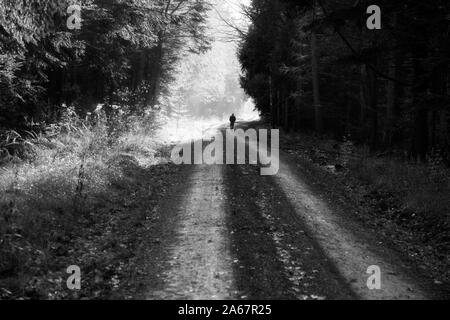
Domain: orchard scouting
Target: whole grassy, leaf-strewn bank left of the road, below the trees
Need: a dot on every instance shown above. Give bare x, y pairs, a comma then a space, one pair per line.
66, 198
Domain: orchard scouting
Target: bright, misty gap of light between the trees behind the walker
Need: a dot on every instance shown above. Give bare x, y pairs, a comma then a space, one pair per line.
206, 89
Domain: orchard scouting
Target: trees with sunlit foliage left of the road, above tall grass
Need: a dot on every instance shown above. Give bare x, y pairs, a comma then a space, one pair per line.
113, 52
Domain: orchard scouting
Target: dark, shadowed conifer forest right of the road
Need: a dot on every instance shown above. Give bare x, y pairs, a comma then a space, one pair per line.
315, 65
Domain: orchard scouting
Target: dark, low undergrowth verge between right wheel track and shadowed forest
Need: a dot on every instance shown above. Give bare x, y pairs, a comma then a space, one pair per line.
402, 200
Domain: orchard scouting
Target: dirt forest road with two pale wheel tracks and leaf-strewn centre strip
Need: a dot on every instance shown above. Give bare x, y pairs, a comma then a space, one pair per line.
226, 232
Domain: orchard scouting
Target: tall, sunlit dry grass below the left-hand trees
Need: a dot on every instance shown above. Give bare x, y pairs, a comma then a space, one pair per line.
51, 180
